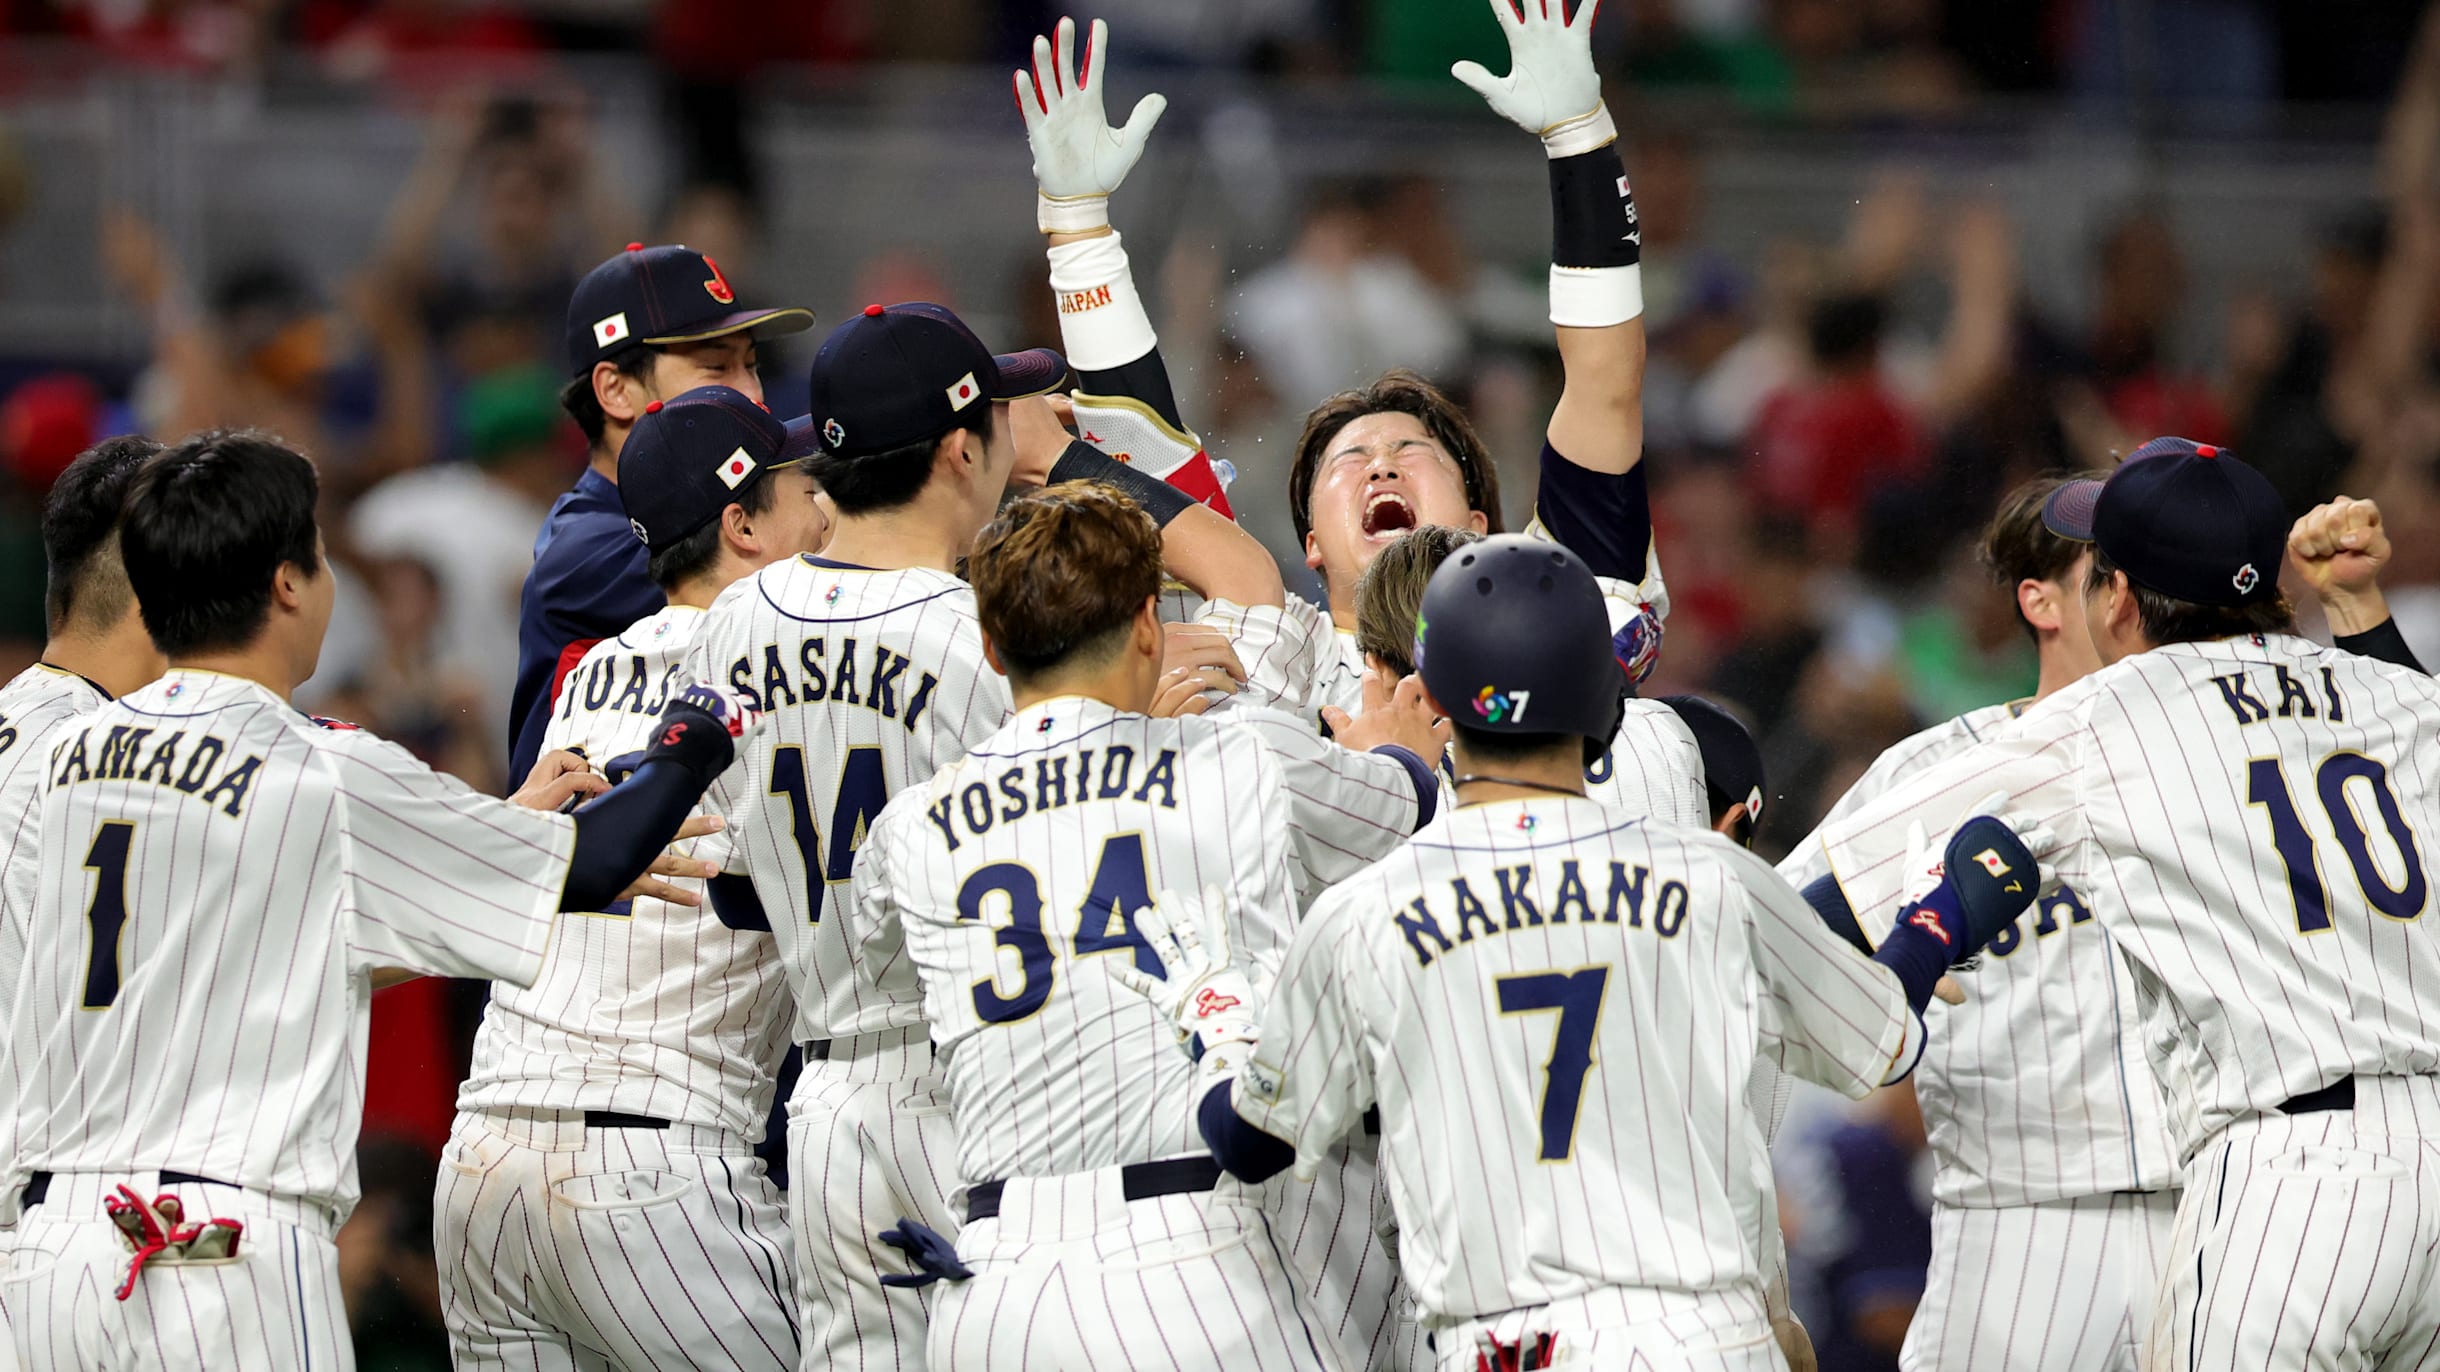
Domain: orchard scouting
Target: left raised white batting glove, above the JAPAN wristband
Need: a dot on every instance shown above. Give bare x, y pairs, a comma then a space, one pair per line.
1080, 160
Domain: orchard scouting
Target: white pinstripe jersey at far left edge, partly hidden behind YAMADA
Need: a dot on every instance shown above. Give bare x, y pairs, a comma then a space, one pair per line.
33, 707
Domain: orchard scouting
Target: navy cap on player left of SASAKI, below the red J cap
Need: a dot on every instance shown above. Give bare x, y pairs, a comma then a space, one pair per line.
694, 458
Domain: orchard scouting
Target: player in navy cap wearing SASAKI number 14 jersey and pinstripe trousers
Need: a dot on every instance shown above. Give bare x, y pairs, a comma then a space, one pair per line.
872, 668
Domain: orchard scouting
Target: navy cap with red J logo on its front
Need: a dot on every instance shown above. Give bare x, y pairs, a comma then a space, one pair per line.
662, 297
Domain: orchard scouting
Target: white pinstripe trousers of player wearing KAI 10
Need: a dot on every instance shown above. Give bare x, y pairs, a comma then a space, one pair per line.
2312, 1241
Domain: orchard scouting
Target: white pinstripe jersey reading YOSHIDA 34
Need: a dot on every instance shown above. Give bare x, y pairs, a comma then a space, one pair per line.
1016, 875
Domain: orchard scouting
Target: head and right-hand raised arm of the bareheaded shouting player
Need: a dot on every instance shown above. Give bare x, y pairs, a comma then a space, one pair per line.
1399, 455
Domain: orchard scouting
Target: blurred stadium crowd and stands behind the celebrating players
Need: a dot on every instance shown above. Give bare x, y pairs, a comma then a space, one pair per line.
1900, 255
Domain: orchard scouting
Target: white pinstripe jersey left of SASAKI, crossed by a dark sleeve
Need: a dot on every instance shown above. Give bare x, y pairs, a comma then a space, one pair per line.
655, 1009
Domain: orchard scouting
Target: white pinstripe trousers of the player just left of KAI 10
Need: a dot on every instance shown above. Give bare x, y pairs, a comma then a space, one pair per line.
2078, 1295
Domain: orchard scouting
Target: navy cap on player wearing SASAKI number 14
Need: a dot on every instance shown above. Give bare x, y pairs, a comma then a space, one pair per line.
902, 375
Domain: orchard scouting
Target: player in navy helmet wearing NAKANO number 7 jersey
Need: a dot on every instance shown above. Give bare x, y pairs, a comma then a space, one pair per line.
1555, 1012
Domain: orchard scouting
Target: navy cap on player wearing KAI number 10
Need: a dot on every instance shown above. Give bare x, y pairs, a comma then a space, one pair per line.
2183, 519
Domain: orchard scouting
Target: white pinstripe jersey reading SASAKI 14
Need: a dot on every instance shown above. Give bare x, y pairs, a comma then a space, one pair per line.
875, 682
